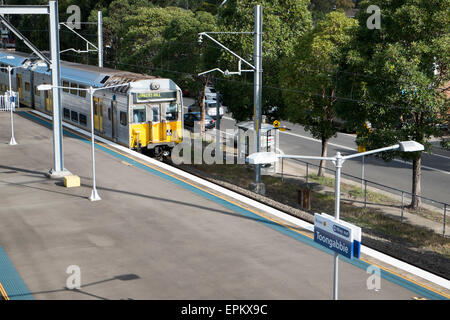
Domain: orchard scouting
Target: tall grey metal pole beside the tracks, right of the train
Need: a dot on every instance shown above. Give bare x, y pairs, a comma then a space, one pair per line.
258, 87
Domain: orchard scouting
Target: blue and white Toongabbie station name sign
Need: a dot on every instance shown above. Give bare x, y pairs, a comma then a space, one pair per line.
338, 236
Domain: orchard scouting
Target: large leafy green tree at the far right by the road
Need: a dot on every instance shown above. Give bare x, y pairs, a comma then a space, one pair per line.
400, 90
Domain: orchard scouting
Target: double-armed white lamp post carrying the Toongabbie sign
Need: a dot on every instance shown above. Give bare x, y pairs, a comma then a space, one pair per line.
338, 161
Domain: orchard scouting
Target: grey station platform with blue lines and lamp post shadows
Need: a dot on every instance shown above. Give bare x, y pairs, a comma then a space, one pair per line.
154, 234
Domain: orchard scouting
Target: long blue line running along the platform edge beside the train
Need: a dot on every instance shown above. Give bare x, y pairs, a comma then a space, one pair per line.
424, 292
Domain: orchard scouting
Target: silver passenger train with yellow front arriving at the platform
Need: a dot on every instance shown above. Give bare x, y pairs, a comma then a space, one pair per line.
145, 116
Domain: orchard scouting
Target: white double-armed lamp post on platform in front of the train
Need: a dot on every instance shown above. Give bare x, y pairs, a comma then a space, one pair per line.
43, 87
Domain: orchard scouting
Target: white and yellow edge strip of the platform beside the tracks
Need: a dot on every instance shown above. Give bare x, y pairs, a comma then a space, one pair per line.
303, 224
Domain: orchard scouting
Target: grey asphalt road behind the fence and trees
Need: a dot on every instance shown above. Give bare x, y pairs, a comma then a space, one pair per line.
396, 174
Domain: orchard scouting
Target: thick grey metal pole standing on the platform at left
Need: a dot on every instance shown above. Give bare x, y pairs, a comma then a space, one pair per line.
58, 159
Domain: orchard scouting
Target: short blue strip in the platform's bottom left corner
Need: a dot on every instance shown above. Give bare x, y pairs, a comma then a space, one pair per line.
11, 281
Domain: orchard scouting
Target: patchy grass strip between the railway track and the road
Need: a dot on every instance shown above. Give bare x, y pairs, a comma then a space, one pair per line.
372, 220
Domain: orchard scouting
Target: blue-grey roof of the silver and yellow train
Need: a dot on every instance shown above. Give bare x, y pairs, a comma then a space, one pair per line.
83, 74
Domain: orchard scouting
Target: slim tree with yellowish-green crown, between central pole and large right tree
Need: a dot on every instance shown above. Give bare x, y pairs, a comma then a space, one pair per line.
309, 77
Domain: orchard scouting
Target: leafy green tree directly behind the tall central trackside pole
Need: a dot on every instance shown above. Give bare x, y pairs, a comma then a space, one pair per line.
283, 22
